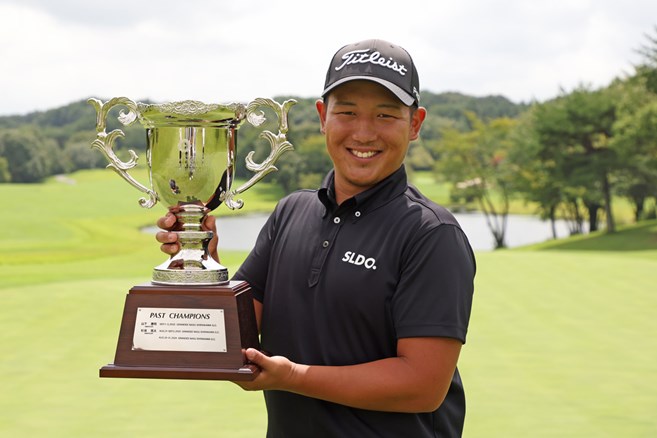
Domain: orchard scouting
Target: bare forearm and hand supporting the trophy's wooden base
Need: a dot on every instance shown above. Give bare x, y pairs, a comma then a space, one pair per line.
415, 381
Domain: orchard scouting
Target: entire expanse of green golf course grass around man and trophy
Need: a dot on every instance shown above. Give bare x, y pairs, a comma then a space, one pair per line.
561, 343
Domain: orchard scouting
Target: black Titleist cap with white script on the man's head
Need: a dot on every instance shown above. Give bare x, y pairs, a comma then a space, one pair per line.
378, 61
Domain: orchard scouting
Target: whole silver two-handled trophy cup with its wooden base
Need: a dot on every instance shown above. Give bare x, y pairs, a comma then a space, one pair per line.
190, 321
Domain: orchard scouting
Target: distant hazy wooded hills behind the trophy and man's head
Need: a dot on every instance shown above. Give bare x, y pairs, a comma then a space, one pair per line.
41, 144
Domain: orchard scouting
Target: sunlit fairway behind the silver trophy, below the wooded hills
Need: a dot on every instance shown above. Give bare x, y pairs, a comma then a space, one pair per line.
79, 220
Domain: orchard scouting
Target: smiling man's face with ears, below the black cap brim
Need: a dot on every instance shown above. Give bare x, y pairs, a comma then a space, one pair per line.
368, 131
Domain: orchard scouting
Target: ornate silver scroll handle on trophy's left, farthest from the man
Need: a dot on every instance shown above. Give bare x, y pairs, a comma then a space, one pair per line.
104, 142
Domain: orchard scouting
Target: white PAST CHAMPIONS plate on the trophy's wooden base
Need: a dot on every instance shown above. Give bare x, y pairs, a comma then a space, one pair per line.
169, 329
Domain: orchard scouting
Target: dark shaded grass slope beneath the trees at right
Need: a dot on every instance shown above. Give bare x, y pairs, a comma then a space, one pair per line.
638, 237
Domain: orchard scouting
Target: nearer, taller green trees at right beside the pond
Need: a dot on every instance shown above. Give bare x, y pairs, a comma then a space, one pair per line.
571, 155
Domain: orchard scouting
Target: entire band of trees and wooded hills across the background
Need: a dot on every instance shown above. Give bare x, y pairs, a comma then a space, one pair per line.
571, 156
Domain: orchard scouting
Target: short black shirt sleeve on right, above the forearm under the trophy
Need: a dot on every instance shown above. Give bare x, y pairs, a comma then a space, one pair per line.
434, 294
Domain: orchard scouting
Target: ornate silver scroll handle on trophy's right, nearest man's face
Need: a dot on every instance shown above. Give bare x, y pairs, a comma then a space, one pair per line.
278, 142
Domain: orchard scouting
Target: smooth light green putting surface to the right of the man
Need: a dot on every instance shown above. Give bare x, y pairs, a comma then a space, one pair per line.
562, 345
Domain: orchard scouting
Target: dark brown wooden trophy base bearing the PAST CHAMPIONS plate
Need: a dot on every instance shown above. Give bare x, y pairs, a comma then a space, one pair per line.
186, 332
